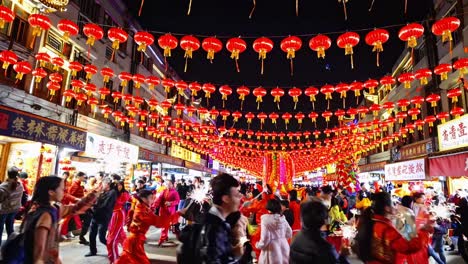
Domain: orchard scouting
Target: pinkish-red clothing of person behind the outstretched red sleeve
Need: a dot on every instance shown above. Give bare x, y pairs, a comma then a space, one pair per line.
167, 203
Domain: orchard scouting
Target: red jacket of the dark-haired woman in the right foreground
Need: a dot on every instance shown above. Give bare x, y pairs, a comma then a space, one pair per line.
388, 243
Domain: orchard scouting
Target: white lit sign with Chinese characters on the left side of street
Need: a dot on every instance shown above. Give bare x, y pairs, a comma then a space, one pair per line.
103, 147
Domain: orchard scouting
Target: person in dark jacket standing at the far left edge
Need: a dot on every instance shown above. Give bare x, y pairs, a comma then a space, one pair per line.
11, 192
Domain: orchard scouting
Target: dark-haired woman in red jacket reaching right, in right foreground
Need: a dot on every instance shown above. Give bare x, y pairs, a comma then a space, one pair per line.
378, 241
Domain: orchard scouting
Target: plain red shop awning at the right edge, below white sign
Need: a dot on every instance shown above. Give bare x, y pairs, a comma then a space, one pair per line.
451, 165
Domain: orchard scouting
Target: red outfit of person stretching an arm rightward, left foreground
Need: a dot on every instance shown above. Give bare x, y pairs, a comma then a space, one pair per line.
143, 218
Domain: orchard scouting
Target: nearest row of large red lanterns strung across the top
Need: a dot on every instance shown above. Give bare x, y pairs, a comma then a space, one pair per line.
263, 45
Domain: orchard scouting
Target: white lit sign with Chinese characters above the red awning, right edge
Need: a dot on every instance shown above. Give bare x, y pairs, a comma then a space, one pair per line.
453, 134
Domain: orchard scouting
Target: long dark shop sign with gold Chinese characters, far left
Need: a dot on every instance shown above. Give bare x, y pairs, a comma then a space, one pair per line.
16, 124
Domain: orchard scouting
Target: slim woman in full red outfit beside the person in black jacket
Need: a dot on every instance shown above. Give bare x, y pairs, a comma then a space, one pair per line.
116, 233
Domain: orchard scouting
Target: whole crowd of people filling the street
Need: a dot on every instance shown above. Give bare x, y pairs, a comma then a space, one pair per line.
227, 221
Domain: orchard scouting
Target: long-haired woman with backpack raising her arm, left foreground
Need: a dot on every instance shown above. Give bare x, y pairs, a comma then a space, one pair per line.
41, 222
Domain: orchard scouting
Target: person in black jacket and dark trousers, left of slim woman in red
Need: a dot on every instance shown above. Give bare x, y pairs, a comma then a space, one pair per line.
102, 213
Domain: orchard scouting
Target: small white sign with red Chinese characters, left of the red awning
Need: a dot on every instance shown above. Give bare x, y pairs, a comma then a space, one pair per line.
406, 171
